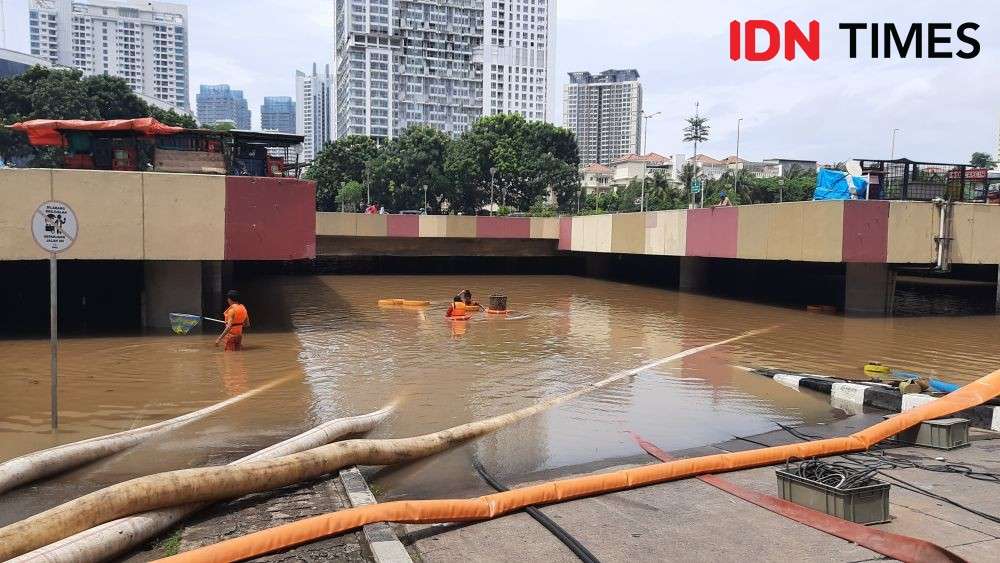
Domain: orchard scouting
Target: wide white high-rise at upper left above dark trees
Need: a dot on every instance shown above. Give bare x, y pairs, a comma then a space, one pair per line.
146, 43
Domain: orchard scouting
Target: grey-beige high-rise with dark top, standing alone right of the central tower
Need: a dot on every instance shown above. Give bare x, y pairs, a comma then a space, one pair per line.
605, 114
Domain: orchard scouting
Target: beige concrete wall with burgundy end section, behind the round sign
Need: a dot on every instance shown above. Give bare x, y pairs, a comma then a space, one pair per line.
155, 216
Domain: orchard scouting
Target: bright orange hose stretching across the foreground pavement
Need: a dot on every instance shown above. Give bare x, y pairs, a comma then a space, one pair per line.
498, 504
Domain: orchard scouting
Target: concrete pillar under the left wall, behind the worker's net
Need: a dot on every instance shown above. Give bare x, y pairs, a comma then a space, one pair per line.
170, 287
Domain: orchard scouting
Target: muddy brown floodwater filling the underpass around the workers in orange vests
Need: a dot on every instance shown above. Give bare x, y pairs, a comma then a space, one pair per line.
343, 355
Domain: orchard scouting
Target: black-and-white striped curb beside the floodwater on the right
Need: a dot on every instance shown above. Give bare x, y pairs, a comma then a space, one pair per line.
852, 396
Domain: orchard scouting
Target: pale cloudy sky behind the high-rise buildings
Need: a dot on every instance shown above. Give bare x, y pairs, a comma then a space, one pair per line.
831, 110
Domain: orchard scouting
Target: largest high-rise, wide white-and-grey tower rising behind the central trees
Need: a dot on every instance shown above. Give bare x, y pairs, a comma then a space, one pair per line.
443, 64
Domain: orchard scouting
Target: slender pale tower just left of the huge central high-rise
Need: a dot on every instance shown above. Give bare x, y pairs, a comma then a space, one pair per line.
313, 111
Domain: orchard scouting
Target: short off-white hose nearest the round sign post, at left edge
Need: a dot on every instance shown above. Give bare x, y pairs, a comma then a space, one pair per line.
36, 465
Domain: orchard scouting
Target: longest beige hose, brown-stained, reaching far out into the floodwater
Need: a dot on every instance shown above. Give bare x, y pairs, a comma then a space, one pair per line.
217, 483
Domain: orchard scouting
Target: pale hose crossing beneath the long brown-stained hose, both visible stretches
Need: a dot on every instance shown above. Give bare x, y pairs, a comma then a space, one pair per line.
119, 536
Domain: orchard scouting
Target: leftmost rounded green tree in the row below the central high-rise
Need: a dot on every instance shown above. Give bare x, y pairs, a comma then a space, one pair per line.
337, 163
